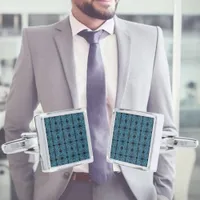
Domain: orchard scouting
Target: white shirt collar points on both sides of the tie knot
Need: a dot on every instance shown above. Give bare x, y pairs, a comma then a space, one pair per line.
77, 26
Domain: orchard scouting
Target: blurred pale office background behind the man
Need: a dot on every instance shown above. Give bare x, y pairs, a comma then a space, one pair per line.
15, 15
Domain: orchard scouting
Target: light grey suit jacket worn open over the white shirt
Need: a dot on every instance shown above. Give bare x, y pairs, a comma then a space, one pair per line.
45, 74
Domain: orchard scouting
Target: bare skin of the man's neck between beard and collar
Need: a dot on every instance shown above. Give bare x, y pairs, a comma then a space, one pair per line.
90, 22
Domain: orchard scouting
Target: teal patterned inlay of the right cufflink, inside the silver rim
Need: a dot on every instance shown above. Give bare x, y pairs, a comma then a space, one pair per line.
132, 138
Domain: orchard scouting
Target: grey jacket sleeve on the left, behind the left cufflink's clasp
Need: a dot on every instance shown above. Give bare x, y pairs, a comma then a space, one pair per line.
20, 106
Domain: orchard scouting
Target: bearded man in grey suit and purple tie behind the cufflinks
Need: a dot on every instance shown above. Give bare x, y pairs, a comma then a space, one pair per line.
120, 64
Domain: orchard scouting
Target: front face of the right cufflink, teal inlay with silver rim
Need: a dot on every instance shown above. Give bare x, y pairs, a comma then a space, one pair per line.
132, 138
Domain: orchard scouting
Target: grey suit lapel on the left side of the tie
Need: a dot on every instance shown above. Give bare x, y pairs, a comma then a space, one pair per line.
64, 43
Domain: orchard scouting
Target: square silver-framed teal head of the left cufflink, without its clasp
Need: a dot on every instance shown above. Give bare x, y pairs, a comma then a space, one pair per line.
64, 139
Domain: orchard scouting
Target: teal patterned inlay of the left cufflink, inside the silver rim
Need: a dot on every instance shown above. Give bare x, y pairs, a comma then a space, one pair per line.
67, 139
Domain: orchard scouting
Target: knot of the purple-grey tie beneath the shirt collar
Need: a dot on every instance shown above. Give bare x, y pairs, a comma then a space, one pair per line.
91, 37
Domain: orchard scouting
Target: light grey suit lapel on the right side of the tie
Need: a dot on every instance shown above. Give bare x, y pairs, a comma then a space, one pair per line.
124, 52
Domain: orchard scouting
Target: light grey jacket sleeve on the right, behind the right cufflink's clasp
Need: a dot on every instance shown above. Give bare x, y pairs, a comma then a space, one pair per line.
160, 101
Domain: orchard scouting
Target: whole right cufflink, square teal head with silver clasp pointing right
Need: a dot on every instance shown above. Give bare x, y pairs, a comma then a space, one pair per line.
136, 139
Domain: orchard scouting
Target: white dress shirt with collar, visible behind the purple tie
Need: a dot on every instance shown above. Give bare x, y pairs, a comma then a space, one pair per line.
108, 47
